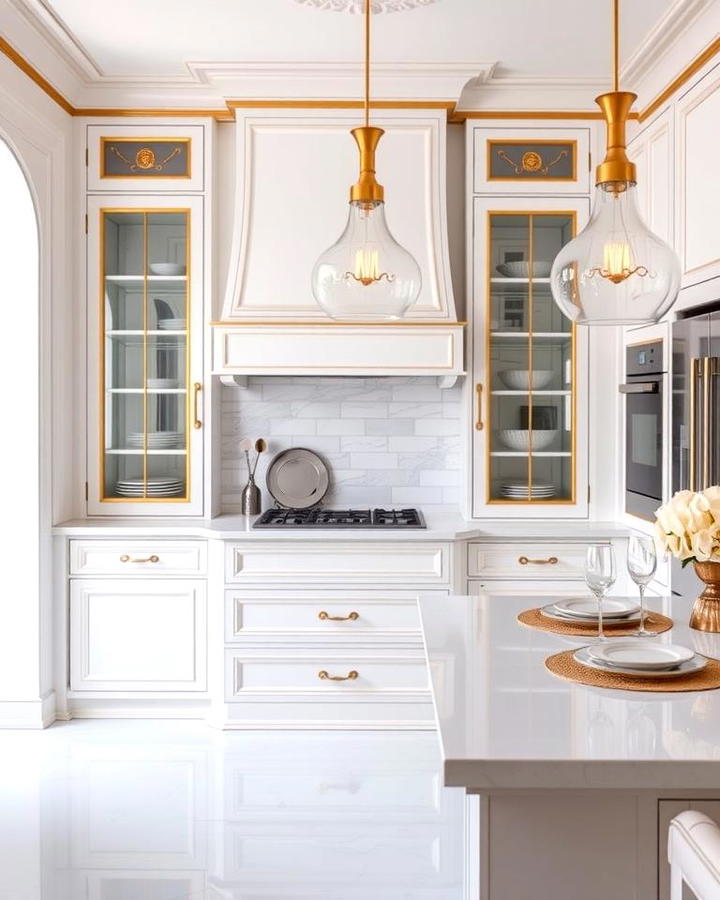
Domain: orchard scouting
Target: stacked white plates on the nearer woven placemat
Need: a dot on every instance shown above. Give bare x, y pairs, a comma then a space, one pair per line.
641, 658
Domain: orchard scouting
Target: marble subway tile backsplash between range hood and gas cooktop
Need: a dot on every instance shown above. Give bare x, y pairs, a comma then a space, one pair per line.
387, 441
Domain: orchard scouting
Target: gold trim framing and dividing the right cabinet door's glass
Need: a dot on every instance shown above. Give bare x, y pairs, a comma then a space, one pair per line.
489, 500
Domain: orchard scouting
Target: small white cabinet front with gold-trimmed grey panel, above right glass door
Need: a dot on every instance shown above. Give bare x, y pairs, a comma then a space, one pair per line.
532, 160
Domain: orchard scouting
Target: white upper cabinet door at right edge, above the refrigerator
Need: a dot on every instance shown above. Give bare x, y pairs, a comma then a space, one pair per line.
698, 191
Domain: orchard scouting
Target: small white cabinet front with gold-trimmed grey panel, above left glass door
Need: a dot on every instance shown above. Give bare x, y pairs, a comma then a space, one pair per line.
153, 157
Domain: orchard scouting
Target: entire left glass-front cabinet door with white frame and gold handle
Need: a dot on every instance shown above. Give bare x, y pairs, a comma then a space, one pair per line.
145, 437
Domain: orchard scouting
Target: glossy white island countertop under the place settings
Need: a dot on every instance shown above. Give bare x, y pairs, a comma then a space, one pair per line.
505, 722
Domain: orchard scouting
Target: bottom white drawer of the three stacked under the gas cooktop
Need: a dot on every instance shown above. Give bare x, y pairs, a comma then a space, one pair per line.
318, 673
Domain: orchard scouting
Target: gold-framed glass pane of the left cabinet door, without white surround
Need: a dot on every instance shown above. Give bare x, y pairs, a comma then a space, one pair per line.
145, 364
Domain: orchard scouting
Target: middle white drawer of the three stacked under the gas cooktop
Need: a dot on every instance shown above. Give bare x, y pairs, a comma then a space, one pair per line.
314, 614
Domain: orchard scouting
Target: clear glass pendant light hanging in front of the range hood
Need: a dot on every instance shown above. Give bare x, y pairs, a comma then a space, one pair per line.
366, 275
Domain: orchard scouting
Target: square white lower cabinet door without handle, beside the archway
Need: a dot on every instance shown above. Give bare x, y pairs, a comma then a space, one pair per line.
142, 635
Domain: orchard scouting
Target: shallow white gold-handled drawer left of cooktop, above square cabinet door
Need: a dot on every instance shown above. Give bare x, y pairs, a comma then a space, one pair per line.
142, 558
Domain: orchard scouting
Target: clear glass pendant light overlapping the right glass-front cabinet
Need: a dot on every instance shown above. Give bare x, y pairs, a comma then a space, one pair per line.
616, 271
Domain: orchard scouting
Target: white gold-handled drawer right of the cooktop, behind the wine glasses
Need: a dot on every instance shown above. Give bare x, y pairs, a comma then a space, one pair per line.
549, 559
